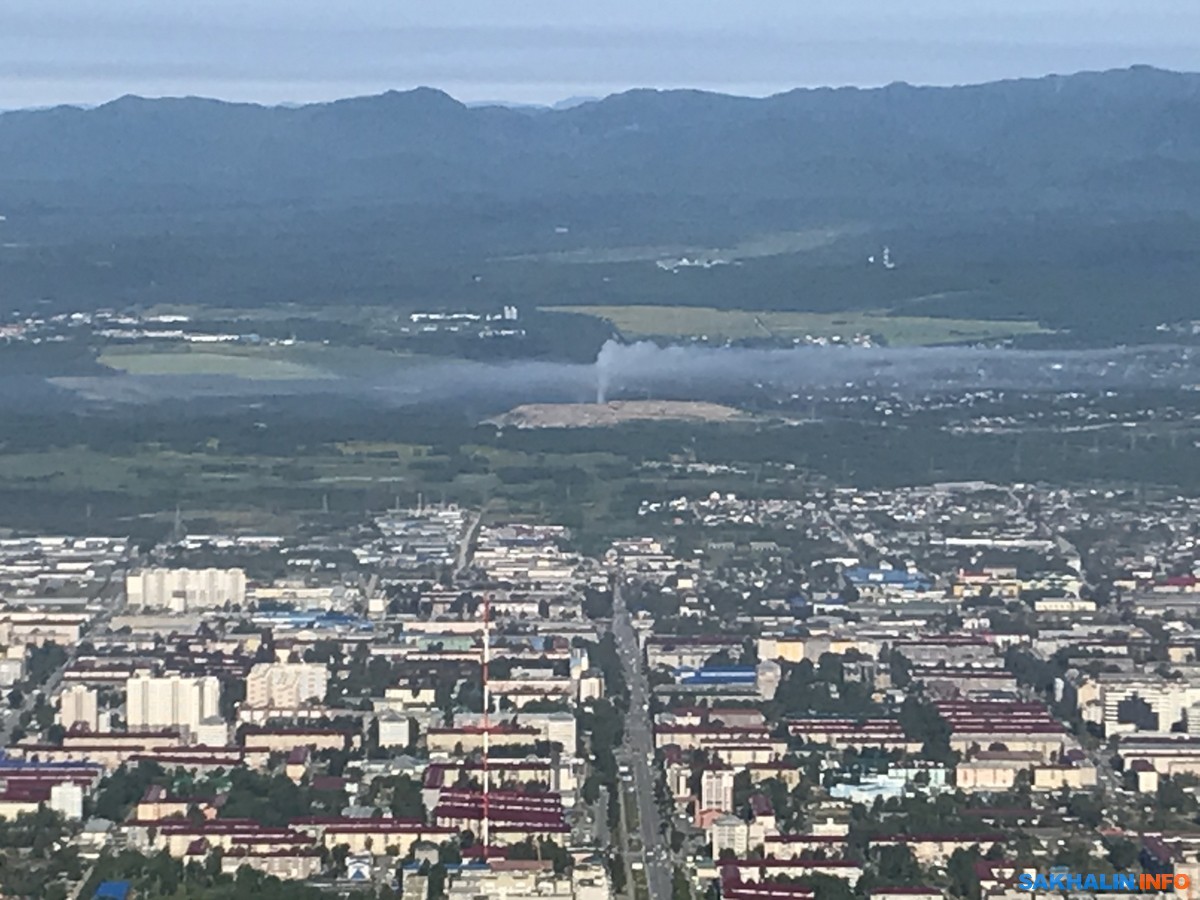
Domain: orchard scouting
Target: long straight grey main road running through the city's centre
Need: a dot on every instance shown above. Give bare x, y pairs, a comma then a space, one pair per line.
640, 749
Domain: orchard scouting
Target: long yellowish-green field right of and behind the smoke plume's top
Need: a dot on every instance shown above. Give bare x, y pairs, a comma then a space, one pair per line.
701, 322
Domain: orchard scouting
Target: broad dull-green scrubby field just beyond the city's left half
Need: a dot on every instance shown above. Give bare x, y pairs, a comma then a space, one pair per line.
225, 487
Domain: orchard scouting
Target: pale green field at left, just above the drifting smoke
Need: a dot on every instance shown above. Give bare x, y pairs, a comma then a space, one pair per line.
266, 364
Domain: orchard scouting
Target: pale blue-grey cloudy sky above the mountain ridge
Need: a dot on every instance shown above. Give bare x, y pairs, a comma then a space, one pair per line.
543, 51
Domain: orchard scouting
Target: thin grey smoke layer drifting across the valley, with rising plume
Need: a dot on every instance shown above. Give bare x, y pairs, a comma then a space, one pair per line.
689, 373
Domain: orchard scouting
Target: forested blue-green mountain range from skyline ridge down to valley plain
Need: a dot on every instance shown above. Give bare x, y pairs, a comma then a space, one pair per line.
1069, 201
